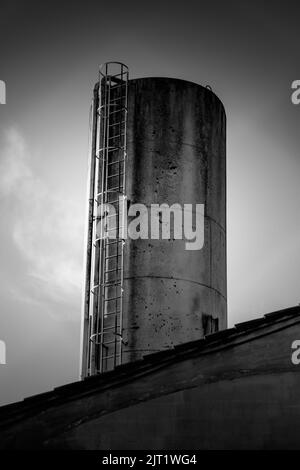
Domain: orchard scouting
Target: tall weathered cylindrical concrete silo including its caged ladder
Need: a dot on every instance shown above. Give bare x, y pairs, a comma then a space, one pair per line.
170, 148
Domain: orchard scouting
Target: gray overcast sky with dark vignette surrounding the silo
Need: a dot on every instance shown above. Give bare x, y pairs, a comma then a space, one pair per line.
247, 51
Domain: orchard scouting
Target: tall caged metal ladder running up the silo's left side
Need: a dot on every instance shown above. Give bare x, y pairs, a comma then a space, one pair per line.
108, 221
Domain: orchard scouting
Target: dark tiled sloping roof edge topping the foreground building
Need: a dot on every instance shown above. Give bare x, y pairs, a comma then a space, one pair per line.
230, 337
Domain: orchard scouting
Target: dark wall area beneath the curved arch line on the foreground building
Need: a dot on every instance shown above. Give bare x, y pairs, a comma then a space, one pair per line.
253, 412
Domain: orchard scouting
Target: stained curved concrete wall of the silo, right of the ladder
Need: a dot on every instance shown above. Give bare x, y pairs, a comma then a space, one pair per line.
177, 154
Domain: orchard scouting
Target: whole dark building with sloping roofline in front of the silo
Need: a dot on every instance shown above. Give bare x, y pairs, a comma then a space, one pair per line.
234, 390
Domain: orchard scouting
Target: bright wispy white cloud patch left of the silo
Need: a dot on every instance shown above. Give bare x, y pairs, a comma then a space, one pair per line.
46, 226
